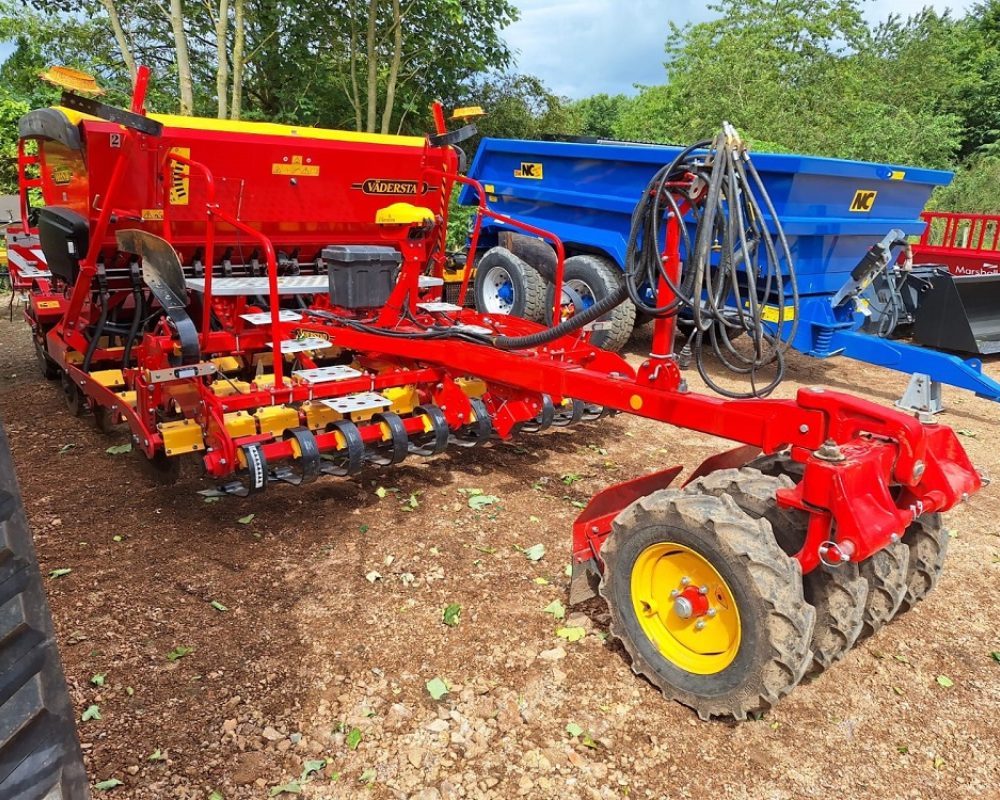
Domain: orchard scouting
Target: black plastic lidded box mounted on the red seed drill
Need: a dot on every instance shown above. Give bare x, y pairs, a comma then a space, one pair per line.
361, 275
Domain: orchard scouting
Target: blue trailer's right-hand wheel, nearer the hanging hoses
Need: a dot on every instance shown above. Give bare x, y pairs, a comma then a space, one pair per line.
588, 280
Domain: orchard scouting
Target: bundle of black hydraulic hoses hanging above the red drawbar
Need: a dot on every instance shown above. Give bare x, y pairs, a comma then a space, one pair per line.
731, 267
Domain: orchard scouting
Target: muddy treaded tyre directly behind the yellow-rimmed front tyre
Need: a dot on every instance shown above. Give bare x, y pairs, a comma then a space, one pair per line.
837, 593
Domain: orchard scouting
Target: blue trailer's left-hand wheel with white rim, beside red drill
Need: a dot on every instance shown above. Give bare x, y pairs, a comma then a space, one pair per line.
507, 285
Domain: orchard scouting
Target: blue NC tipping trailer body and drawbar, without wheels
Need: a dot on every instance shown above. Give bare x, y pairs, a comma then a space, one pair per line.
832, 212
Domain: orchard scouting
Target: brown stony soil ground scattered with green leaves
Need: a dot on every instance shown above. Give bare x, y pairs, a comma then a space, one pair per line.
314, 677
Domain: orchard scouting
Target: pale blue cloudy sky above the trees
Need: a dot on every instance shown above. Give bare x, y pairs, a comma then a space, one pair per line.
580, 47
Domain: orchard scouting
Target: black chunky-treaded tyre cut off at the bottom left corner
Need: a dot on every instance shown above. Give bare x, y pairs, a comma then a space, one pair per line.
39, 752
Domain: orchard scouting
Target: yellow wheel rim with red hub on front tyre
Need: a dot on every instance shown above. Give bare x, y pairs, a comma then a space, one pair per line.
686, 608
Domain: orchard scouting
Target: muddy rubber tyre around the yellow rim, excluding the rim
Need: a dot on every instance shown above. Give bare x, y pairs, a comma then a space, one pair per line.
777, 623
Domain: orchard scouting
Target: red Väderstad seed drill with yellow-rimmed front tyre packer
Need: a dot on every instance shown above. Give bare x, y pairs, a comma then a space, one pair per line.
268, 300
